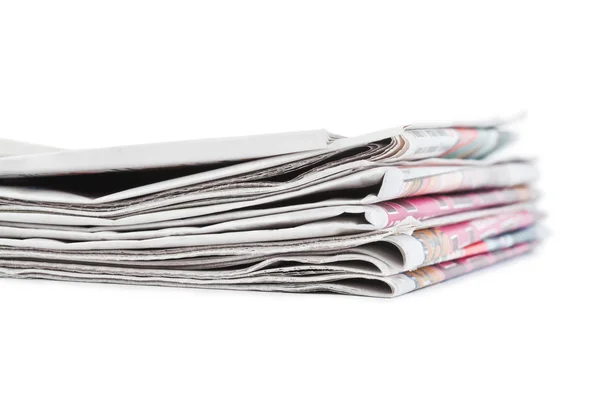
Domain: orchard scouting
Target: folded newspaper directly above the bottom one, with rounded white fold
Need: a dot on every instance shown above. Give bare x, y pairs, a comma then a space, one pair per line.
411, 250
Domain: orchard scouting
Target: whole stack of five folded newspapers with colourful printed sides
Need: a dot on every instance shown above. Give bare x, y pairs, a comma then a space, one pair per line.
381, 214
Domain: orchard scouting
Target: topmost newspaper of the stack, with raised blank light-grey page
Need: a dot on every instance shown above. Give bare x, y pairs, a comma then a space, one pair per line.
404, 142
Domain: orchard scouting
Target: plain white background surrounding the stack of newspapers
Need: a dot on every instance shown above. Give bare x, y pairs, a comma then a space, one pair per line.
88, 74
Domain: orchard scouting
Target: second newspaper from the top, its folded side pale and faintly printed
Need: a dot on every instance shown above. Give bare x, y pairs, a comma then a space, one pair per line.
364, 187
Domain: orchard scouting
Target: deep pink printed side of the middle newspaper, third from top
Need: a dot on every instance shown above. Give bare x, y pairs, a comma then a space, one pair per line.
425, 207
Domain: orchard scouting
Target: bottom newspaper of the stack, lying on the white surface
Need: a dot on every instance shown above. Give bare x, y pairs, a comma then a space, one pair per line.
288, 280
